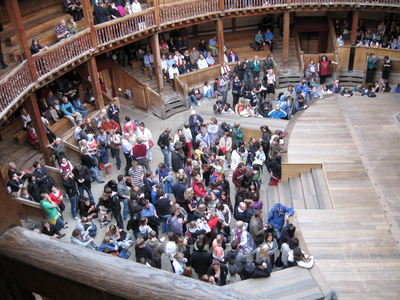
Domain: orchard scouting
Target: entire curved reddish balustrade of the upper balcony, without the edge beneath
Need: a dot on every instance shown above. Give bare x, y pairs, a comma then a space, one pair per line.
18, 82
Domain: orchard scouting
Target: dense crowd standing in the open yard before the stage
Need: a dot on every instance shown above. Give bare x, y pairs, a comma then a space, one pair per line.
187, 197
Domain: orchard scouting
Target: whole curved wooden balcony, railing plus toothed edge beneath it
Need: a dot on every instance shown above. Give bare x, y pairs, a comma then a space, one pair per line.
63, 56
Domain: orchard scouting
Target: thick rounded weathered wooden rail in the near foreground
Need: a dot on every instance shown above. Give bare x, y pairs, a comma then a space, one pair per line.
25, 262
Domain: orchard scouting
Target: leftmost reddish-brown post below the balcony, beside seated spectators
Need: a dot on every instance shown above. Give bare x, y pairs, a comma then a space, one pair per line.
33, 110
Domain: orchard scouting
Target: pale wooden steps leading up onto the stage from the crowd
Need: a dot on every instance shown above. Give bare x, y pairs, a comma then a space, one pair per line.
309, 191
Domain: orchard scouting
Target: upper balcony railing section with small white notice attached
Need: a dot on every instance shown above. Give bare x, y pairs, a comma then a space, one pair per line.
121, 28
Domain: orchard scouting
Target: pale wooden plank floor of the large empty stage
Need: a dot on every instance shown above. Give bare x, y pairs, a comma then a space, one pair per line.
357, 141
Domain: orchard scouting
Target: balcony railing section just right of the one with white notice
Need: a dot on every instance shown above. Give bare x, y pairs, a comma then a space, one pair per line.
187, 10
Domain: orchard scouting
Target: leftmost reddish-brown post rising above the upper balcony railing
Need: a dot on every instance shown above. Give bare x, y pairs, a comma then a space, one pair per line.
16, 21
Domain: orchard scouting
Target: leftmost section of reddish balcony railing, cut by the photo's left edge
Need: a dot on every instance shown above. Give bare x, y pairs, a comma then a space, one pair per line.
14, 87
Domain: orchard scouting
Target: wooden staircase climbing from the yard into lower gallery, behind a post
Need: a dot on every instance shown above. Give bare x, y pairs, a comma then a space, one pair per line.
173, 102
